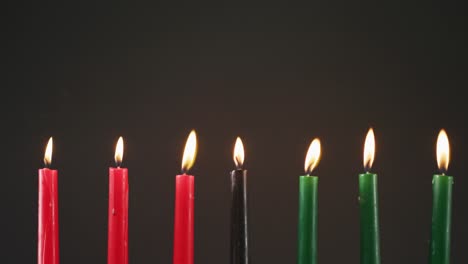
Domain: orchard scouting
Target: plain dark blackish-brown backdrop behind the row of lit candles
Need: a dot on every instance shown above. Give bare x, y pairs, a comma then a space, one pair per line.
277, 74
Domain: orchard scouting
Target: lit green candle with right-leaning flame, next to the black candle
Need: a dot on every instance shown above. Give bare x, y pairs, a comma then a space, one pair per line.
307, 226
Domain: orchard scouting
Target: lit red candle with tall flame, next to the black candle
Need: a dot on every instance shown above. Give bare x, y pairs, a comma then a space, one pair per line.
184, 212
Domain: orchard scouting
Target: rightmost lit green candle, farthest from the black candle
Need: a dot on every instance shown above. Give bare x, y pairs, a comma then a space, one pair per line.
441, 204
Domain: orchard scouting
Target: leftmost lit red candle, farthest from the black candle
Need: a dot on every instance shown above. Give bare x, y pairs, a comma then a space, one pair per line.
48, 243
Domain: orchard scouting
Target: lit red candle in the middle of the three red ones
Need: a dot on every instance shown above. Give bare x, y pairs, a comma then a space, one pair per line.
117, 243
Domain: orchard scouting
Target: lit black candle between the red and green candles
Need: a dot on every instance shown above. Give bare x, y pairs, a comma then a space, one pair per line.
239, 209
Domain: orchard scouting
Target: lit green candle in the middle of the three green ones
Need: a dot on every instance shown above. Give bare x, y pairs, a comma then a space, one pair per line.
368, 205
